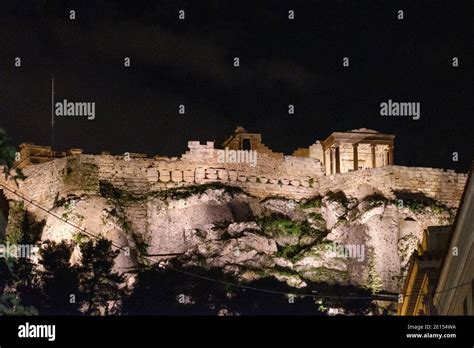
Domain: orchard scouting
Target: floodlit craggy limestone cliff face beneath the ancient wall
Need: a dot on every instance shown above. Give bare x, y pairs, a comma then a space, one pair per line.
335, 241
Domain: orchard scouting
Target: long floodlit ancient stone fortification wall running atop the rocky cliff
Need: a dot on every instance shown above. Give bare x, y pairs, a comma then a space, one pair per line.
292, 177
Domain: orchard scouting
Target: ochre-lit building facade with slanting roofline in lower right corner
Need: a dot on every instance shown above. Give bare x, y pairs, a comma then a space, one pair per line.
440, 278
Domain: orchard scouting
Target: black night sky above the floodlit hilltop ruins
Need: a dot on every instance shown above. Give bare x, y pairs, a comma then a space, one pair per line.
282, 62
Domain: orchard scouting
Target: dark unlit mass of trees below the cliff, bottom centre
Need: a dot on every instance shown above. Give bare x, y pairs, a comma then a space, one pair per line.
160, 291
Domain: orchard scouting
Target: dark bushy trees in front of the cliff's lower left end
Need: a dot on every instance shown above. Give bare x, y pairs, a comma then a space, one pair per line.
58, 288
